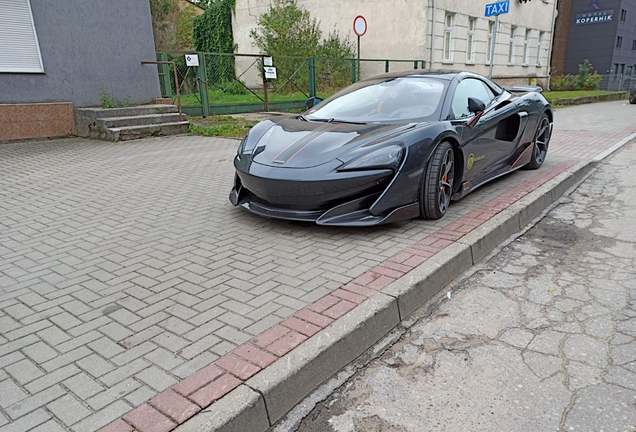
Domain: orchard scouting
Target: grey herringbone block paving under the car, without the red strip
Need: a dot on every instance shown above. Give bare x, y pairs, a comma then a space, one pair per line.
124, 268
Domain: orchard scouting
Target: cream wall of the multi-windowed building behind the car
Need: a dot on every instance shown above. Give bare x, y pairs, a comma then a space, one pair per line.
401, 29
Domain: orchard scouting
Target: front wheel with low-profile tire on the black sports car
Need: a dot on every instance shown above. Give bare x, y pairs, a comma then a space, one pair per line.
437, 182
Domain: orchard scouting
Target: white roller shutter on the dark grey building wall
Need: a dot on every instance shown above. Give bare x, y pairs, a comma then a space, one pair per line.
19, 48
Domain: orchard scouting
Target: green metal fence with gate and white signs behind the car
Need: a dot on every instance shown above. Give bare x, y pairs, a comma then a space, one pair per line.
236, 83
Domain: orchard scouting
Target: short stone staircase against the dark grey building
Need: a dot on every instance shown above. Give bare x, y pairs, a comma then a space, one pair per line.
122, 124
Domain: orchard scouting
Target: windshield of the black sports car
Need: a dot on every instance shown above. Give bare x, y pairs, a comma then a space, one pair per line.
383, 100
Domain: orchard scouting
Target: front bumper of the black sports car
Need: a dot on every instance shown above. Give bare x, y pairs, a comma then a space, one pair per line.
319, 194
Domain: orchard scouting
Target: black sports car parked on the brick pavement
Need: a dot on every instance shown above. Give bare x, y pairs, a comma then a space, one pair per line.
390, 148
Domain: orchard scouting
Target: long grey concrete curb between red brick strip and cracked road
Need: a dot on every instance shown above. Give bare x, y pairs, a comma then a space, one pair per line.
265, 398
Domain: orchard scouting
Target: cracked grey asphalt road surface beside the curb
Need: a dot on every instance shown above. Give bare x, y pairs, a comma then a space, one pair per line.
542, 337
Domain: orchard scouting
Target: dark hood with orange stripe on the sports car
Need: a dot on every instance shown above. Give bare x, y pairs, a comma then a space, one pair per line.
293, 143
